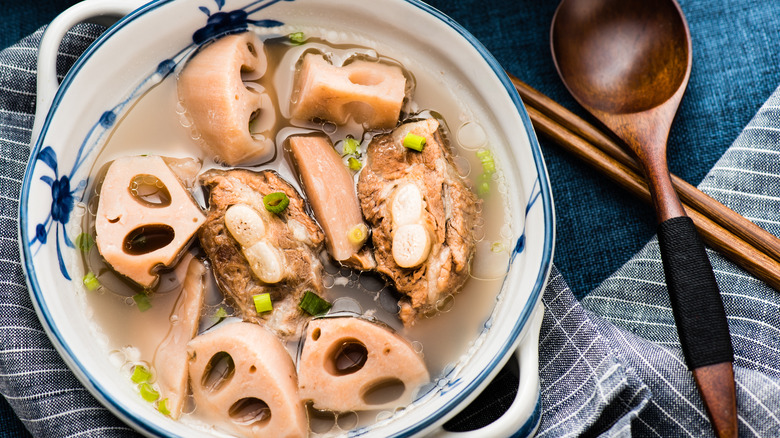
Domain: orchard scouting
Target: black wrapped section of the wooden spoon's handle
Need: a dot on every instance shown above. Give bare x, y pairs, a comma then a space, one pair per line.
696, 302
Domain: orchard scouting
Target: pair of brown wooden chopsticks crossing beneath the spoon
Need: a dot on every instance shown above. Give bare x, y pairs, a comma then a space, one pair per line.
727, 242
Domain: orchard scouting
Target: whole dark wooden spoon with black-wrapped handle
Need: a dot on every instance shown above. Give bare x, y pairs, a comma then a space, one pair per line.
628, 63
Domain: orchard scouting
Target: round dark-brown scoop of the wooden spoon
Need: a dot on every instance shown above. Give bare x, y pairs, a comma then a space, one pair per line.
619, 56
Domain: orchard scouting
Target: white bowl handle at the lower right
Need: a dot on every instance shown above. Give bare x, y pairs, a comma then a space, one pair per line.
522, 417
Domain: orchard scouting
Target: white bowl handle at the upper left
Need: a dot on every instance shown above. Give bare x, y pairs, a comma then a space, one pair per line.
104, 12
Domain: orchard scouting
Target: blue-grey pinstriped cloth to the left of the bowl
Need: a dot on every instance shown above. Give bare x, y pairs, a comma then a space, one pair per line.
33, 378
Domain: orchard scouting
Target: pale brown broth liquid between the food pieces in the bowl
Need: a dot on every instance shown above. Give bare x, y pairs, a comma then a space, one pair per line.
156, 124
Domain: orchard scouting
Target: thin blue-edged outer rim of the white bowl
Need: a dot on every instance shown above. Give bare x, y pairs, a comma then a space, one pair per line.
513, 338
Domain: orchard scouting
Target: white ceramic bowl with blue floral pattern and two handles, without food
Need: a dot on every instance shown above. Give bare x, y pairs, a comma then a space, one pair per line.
143, 47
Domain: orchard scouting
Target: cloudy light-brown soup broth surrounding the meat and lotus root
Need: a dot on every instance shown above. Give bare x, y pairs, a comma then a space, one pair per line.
131, 322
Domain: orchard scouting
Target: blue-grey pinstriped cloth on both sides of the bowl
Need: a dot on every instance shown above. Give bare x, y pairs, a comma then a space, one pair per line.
610, 365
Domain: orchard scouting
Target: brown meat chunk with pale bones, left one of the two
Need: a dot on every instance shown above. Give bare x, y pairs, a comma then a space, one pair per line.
255, 251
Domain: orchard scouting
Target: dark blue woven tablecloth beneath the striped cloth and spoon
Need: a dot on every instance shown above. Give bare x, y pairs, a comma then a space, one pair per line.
736, 68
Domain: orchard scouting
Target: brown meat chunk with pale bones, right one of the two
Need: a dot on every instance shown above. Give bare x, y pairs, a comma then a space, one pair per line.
422, 216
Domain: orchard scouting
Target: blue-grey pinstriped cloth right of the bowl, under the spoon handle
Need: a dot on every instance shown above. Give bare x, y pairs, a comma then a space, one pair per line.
620, 349
